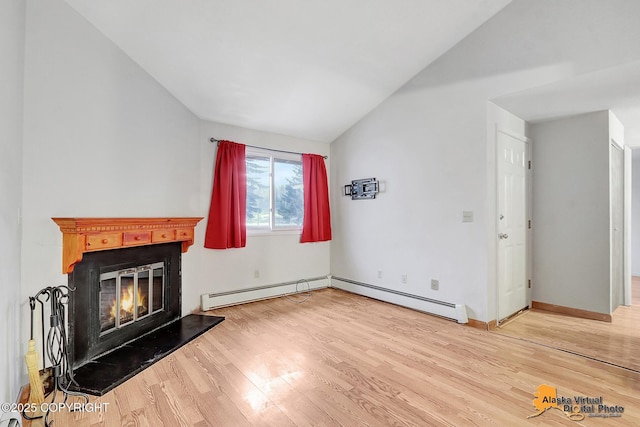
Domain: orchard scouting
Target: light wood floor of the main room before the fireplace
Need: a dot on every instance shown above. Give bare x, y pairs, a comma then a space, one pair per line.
344, 360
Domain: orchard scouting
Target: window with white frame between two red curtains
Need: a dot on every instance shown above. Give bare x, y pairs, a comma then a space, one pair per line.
274, 192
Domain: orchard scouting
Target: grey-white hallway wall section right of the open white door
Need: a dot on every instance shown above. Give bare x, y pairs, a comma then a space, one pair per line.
571, 245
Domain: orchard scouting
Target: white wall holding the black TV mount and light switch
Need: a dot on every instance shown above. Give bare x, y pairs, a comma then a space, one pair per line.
428, 141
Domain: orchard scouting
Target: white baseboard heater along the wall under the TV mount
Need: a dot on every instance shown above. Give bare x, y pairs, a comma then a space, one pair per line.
455, 312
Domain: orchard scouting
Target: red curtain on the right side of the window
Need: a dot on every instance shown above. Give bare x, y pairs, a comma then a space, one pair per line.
316, 225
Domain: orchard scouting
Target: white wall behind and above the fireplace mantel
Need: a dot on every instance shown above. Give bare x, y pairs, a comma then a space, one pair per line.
101, 138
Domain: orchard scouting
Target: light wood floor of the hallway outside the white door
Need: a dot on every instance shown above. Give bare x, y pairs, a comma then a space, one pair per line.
617, 342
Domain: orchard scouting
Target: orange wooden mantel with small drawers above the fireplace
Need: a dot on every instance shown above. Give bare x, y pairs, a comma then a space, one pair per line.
80, 235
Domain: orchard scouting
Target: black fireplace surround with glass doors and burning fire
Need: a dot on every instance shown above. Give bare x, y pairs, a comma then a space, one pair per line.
120, 295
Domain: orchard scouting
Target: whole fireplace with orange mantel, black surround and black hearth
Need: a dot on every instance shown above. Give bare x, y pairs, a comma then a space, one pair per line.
124, 314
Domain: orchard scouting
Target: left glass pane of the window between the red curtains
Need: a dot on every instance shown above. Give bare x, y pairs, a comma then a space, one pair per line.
257, 191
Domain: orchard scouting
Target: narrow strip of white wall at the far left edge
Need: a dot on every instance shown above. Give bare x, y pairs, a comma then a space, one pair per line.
12, 344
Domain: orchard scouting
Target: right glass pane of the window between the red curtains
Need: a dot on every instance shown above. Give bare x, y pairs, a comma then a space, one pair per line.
287, 181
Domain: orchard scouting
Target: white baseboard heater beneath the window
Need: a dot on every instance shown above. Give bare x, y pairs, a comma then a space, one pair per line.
223, 299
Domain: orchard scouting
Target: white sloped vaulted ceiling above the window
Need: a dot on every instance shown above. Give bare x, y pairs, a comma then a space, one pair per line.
309, 69
